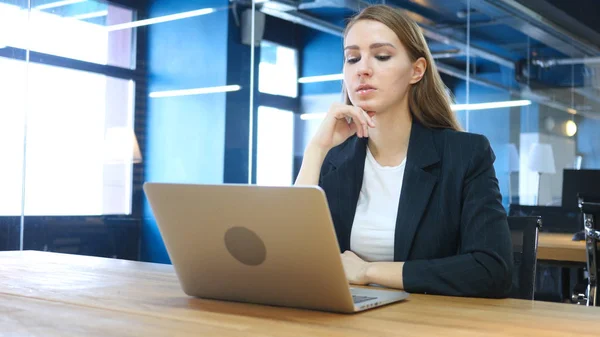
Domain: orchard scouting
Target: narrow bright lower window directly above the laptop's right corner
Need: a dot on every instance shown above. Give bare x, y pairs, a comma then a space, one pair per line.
275, 147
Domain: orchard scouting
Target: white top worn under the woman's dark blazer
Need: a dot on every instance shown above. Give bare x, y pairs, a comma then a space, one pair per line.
372, 237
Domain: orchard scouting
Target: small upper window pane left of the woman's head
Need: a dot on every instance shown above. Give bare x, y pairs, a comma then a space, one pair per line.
278, 74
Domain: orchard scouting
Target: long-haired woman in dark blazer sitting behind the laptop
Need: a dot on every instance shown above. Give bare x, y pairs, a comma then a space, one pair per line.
415, 201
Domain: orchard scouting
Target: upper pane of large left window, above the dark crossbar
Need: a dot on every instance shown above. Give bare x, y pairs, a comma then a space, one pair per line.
75, 29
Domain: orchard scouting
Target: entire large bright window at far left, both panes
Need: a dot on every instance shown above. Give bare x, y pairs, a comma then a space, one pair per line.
66, 126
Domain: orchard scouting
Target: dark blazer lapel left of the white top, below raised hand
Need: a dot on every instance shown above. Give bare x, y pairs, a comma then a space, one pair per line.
350, 166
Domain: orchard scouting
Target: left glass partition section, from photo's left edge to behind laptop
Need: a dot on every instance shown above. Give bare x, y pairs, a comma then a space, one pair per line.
101, 97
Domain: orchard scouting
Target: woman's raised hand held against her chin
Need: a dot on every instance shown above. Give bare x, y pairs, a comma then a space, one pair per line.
335, 128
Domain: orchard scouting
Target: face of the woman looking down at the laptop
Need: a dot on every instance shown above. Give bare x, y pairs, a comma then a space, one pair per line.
377, 68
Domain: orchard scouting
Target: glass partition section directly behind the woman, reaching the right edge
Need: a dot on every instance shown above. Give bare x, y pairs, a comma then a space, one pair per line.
520, 81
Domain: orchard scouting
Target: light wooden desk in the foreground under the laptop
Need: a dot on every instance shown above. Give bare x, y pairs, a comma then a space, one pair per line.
66, 295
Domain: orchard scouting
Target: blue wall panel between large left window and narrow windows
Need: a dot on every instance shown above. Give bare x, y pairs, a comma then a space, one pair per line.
185, 135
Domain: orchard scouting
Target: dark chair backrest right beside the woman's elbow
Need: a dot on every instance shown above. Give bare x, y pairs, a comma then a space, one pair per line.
524, 232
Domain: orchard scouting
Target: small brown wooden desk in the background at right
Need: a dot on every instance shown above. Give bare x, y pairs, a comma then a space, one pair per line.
560, 247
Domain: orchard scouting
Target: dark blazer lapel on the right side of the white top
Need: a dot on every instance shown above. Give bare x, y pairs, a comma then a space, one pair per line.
417, 185
